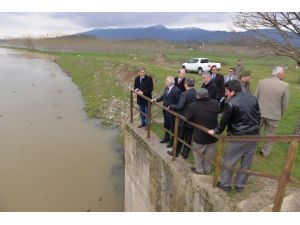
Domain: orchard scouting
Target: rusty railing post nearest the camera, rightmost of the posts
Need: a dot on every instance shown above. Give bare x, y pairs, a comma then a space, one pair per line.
284, 178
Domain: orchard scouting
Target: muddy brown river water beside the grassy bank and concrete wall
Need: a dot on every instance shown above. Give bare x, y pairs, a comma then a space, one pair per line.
52, 157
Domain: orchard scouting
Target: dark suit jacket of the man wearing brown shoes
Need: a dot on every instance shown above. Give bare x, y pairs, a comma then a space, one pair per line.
186, 98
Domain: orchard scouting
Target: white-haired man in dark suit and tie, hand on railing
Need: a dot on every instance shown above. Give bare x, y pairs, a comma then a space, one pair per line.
171, 96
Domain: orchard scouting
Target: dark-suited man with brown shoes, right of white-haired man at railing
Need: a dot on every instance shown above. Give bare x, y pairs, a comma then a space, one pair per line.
185, 131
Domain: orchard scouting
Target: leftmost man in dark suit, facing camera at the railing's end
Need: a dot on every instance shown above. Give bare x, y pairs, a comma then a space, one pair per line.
143, 85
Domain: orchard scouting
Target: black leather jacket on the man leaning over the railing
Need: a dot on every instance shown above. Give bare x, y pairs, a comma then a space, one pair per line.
241, 115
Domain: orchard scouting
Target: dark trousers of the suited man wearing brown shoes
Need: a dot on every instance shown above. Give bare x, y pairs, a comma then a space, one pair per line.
185, 133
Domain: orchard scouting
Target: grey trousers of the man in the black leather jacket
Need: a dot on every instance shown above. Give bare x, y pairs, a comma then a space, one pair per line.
236, 151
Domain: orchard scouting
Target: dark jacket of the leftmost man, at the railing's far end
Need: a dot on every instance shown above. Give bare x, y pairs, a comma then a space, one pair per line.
146, 86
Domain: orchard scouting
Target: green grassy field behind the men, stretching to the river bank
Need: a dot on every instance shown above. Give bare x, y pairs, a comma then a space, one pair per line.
101, 77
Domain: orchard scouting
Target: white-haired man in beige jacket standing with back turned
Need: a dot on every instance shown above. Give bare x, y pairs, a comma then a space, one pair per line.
273, 96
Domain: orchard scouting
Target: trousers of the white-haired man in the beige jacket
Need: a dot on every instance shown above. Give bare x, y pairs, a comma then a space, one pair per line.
270, 129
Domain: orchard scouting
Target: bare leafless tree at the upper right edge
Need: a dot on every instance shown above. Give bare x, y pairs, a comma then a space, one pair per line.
285, 25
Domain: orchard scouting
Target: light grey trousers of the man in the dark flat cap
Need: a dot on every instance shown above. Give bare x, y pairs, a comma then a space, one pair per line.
202, 165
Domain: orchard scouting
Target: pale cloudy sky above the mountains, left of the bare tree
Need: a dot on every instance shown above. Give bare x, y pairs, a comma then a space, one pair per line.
39, 24
